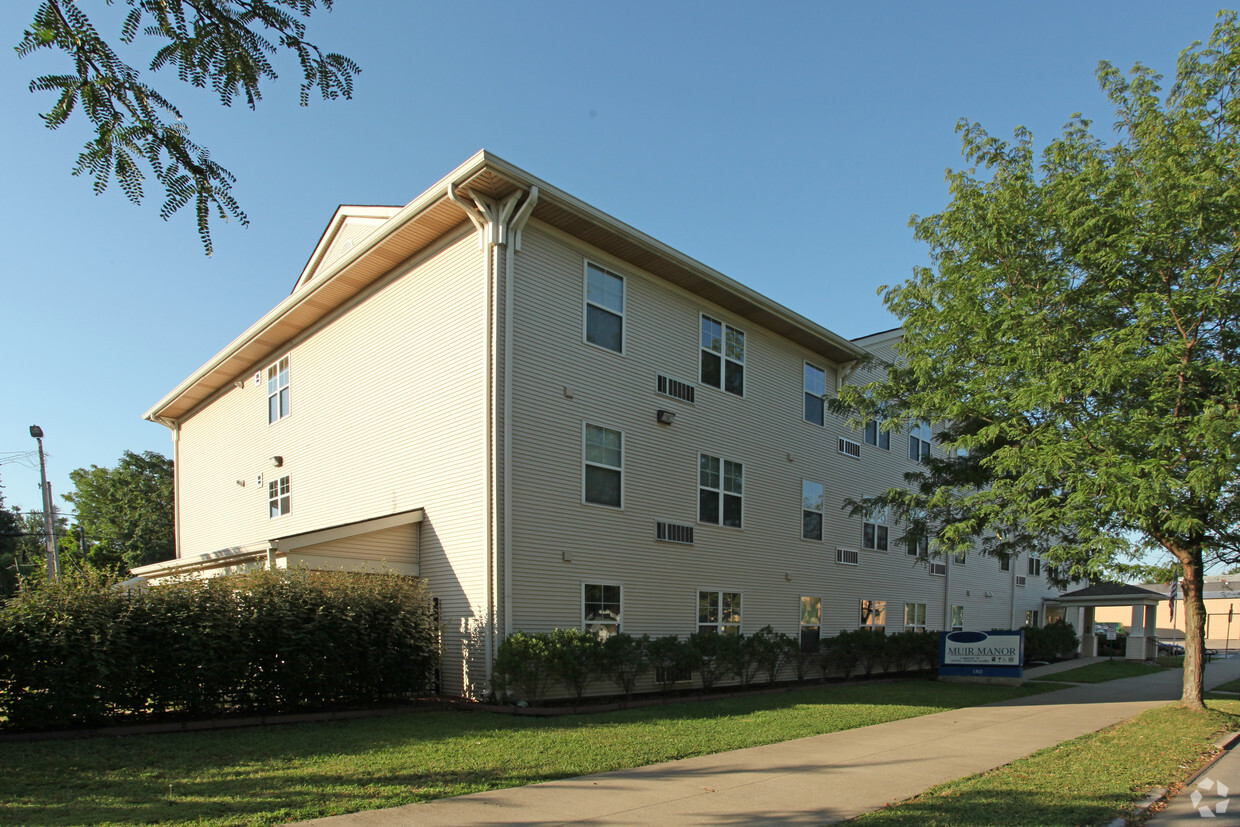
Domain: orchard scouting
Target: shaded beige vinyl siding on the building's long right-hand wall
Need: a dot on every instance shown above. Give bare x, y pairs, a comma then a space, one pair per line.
561, 384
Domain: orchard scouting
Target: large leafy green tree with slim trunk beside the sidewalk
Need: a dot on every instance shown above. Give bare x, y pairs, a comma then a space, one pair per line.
1083, 309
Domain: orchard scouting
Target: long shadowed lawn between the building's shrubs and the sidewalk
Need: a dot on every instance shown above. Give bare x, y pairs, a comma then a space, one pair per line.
297, 772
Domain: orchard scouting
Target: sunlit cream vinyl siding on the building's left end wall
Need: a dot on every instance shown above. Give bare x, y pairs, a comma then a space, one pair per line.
389, 413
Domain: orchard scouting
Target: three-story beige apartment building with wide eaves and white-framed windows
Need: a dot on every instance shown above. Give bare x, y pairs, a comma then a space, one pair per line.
557, 422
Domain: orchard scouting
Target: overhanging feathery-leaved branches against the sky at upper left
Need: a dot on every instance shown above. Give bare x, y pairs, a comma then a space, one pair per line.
226, 45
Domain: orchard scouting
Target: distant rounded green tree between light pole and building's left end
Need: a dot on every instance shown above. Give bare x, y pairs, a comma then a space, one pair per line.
125, 513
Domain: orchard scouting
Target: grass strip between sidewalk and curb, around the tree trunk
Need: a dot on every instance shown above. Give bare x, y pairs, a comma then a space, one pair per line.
1089, 781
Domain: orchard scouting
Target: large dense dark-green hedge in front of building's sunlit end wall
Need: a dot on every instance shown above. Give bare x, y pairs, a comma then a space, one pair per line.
84, 653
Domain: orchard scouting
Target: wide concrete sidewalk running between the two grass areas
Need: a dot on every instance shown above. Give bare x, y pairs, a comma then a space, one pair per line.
812, 781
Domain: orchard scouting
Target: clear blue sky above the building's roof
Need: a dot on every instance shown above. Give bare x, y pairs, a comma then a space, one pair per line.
784, 144
